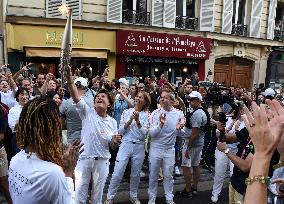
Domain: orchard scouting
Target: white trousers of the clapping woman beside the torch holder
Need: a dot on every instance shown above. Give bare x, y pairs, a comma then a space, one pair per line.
126, 151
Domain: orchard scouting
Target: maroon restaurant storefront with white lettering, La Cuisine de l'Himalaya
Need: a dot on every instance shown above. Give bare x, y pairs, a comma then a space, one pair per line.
143, 54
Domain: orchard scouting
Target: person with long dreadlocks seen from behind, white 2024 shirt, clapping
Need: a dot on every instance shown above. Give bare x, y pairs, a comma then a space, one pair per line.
41, 172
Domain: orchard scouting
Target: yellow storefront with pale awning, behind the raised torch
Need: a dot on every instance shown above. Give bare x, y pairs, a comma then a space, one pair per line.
40, 45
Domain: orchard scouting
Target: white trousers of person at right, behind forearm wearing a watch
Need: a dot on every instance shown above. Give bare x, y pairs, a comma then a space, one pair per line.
221, 166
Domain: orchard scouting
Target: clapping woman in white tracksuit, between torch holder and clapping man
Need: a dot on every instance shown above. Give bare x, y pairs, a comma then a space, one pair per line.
134, 126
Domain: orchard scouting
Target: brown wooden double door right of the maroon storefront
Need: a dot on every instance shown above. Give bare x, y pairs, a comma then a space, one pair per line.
233, 71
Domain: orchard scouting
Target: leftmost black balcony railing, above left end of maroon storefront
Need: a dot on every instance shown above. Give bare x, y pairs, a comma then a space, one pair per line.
134, 17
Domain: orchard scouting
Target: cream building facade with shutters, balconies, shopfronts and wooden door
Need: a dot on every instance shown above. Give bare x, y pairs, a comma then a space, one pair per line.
232, 39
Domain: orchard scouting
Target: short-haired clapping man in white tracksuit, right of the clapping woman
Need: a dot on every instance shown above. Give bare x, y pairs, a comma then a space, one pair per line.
165, 125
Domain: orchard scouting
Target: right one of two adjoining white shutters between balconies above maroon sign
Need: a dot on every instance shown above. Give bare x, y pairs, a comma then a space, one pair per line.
169, 13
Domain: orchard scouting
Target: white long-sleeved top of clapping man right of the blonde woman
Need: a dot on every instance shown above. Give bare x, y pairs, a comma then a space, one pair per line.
165, 137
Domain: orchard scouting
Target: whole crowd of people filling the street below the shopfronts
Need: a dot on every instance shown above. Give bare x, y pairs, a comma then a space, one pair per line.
58, 139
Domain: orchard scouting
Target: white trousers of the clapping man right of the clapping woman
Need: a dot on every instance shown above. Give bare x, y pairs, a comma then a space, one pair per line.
164, 158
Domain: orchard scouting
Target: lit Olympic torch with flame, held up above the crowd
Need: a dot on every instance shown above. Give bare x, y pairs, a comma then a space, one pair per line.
66, 46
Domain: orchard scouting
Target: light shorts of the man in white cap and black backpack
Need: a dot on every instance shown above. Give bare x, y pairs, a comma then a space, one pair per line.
195, 155
